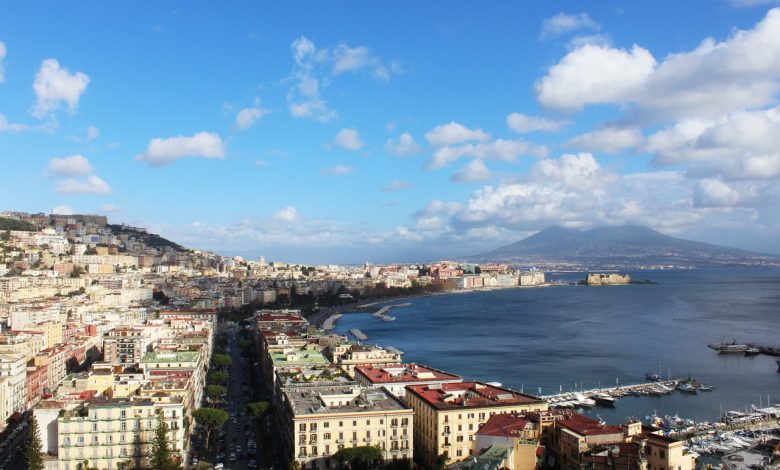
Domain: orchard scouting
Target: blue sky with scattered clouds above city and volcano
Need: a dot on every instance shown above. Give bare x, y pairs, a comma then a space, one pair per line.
343, 132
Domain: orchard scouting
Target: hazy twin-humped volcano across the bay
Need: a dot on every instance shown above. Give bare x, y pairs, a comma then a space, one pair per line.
623, 246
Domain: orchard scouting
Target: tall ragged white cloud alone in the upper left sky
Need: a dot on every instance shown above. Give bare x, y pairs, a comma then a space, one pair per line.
55, 86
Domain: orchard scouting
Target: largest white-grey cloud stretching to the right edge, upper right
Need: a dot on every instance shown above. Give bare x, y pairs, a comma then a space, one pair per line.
713, 79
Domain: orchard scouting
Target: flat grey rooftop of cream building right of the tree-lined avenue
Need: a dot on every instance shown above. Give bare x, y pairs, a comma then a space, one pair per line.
342, 399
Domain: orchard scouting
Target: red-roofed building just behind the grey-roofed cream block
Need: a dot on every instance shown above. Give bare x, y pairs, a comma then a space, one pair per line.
395, 378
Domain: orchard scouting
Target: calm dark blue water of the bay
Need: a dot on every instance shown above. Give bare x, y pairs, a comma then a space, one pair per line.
553, 337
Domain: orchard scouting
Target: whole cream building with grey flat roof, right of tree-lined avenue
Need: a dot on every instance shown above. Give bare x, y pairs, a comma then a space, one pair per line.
320, 421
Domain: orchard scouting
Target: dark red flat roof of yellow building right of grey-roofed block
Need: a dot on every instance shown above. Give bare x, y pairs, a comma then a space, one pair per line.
470, 394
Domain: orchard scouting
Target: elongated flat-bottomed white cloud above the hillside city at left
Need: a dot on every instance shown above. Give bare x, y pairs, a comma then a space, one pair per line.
165, 151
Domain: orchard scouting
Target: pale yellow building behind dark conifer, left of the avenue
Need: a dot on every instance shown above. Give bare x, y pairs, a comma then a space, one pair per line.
108, 432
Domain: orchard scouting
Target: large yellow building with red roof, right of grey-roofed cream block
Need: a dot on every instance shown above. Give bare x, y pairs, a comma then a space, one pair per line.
446, 416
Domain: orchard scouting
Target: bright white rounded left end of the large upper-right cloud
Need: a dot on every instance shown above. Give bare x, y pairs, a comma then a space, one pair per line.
595, 74
